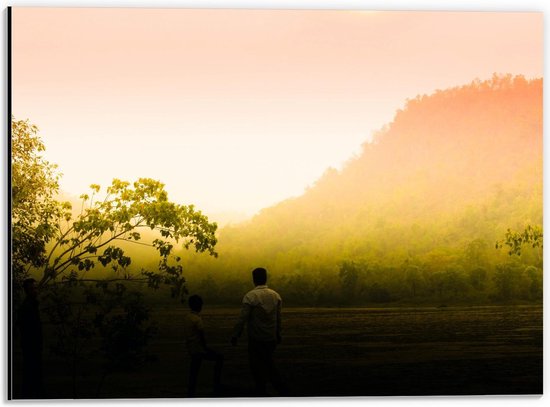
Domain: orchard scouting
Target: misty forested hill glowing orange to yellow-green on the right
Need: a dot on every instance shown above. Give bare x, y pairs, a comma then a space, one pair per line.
433, 191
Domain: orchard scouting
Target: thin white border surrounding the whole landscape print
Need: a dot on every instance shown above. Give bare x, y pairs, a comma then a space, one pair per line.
442, 5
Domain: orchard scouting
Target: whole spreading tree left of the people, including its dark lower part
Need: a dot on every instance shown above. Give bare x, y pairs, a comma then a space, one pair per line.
102, 303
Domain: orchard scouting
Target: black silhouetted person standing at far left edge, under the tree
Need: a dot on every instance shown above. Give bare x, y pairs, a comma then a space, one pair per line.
30, 327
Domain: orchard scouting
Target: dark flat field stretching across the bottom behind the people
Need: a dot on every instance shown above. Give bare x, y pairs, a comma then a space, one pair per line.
341, 352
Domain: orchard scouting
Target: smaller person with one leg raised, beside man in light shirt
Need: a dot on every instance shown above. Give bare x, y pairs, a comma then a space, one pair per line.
198, 350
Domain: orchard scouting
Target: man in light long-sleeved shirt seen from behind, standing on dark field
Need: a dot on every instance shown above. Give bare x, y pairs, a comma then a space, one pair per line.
261, 312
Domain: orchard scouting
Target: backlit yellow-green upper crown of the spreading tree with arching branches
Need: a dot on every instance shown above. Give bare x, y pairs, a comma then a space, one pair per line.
95, 236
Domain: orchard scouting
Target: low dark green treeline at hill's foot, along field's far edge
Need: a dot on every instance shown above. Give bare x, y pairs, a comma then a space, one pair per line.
358, 283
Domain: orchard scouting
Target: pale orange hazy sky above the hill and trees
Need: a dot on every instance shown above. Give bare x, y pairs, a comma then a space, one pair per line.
236, 110
